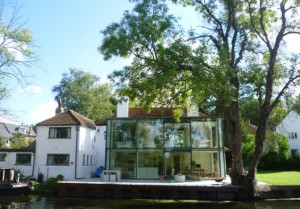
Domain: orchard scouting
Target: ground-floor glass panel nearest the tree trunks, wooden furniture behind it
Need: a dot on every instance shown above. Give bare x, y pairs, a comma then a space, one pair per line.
205, 164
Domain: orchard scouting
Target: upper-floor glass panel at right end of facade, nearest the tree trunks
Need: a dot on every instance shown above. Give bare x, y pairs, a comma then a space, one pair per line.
204, 134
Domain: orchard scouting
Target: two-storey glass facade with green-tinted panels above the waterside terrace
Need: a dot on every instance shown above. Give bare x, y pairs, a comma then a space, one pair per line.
149, 148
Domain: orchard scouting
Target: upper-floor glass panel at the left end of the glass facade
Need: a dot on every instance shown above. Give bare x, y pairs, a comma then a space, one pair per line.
123, 133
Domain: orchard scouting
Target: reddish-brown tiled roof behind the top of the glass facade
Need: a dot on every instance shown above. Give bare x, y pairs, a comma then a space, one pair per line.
154, 113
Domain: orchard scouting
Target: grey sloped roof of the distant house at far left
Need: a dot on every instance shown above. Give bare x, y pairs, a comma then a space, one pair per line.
7, 130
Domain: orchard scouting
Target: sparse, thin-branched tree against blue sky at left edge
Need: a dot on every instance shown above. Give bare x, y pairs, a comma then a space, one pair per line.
16, 54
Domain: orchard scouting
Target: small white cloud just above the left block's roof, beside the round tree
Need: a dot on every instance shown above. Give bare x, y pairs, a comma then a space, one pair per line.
43, 112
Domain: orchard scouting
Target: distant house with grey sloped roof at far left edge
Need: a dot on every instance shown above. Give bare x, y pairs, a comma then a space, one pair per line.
8, 130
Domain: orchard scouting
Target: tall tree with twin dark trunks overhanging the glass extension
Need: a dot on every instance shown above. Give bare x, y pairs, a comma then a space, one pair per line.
236, 38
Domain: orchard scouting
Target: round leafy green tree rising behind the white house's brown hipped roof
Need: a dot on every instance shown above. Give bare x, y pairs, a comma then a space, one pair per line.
82, 92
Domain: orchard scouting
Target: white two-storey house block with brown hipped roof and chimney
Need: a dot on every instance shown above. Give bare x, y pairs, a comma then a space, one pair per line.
66, 144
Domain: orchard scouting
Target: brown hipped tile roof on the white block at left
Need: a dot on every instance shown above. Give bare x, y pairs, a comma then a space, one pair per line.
69, 117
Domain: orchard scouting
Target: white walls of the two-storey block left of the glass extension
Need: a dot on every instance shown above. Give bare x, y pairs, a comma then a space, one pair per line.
80, 147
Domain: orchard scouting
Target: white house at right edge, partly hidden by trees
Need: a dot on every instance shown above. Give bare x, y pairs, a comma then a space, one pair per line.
290, 127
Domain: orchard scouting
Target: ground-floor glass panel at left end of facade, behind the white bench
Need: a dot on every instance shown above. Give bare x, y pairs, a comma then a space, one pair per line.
125, 161
